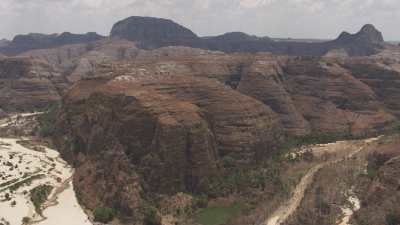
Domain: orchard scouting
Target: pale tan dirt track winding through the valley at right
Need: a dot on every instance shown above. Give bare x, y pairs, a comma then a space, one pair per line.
289, 207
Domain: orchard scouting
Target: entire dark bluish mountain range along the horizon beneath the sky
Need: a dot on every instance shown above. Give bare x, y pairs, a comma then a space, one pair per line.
151, 33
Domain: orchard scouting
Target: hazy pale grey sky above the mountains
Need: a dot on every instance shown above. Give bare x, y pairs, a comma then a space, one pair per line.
274, 18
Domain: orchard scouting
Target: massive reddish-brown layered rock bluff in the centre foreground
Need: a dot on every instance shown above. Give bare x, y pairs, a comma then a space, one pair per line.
172, 130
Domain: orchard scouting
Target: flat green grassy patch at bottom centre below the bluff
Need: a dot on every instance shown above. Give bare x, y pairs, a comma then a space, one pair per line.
217, 215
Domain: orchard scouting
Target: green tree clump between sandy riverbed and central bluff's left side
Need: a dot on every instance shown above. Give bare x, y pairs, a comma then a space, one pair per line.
48, 120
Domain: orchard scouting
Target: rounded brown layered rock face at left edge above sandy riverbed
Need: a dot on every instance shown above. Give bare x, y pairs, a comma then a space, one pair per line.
26, 84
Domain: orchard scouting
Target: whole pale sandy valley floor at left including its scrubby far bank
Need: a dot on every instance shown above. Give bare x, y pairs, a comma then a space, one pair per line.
35, 183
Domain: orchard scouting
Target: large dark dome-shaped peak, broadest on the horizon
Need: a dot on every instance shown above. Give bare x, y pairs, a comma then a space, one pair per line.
151, 31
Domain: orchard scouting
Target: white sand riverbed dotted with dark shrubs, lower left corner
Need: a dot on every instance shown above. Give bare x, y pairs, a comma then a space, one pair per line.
17, 164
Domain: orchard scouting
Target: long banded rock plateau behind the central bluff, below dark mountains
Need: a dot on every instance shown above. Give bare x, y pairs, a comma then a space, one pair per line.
309, 94
